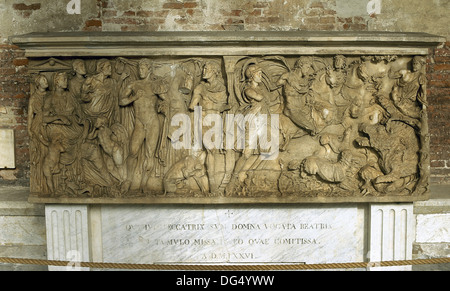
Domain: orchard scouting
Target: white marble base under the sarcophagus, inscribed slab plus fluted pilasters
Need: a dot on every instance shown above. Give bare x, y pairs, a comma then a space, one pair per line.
219, 234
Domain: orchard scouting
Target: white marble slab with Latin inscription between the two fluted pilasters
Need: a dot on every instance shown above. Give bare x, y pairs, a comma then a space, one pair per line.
234, 234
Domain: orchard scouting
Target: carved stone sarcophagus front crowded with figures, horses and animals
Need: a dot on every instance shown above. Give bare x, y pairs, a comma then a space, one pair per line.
334, 128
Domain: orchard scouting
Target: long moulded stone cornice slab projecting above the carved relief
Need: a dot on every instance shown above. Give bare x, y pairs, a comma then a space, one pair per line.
211, 43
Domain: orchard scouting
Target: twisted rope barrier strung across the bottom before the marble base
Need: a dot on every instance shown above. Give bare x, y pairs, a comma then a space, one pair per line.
195, 267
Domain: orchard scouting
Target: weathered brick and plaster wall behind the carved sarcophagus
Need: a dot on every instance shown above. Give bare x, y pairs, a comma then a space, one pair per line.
164, 15
